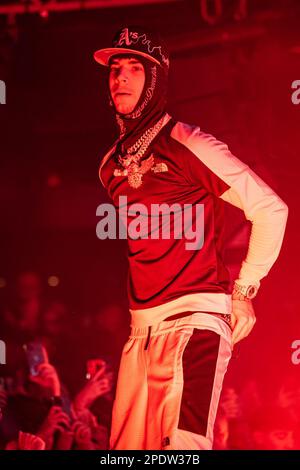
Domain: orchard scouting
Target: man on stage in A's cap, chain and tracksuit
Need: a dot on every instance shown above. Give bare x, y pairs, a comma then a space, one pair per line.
185, 318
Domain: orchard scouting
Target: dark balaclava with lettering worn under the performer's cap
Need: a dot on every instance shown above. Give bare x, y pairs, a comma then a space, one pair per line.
150, 107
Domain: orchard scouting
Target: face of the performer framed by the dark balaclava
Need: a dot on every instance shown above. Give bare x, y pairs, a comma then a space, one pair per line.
126, 82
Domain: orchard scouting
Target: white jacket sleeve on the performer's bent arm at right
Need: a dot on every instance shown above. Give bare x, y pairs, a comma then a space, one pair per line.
247, 191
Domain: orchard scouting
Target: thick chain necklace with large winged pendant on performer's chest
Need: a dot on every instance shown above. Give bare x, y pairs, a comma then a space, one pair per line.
130, 162
